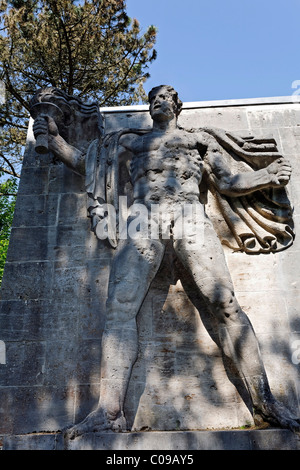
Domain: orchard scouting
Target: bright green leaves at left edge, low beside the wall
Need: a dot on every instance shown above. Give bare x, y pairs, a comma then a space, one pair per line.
7, 204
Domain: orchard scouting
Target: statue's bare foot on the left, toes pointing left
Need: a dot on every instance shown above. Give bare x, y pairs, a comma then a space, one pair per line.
96, 421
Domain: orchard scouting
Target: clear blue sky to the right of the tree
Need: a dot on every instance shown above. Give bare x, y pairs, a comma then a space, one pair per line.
223, 49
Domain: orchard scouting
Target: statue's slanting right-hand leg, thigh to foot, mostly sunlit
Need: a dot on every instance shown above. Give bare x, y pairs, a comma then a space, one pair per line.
207, 265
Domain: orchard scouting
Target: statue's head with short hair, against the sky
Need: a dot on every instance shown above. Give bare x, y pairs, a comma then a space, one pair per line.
164, 102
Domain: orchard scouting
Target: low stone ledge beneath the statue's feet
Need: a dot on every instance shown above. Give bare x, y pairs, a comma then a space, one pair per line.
266, 439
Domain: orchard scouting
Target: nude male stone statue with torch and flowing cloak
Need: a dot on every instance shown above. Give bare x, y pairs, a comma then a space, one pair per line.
170, 170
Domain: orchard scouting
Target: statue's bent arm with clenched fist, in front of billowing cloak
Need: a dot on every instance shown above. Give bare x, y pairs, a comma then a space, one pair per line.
277, 174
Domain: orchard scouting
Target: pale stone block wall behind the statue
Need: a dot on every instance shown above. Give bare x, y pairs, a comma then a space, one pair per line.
55, 285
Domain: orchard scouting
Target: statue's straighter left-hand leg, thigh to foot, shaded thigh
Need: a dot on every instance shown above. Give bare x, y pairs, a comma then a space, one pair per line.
134, 267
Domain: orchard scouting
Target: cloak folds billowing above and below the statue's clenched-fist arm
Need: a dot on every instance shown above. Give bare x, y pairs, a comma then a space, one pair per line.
260, 222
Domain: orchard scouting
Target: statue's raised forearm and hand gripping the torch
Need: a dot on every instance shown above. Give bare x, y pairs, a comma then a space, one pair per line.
71, 156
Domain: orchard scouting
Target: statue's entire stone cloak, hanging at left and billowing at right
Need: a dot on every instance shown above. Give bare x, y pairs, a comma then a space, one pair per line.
258, 222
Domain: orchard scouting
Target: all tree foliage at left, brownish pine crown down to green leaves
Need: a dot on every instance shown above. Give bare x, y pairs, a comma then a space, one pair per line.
88, 48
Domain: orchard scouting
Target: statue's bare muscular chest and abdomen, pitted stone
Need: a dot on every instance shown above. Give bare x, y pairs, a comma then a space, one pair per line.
165, 167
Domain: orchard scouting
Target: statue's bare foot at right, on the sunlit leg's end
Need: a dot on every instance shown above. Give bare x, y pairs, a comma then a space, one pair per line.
276, 414
